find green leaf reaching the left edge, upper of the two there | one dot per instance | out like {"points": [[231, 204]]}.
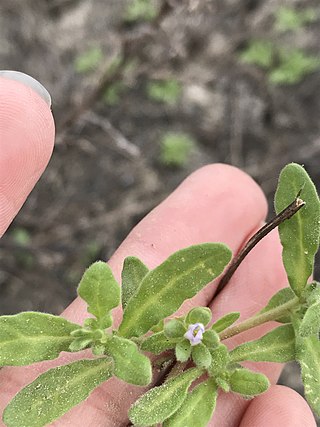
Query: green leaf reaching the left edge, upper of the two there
{"points": [[30, 337]]}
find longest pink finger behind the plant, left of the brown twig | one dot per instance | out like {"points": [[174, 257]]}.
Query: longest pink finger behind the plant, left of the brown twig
{"points": [[217, 203]]}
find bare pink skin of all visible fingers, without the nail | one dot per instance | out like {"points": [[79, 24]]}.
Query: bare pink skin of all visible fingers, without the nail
{"points": [[215, 203]]}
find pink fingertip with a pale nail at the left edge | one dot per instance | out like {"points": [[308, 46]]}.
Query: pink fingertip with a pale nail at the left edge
{"points": [[26, 140]]}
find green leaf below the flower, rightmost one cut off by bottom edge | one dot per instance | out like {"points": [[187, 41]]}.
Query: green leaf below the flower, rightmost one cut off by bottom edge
{"points": [[198, 407]]}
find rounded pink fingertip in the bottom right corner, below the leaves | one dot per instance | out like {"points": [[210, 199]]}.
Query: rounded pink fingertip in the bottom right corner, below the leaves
{"points": [[280, 406]]}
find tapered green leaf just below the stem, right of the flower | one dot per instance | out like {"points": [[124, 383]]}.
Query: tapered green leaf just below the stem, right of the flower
{"points": [[275, 346]]}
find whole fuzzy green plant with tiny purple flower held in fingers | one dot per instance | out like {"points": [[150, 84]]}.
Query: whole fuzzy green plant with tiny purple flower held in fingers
{"points": [[194, 345]]}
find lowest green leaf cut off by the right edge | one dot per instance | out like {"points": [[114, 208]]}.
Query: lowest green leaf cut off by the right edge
{"points": [[308, 356]]}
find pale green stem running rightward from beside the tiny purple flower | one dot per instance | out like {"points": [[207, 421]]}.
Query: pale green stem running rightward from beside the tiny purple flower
{"points": [[259, 319]]}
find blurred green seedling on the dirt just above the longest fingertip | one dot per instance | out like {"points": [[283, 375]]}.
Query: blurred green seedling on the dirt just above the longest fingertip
{"points": [[175, 149]]}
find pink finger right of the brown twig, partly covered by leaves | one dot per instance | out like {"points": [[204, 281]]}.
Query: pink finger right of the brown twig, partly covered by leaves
{"points": [[259, 276]]}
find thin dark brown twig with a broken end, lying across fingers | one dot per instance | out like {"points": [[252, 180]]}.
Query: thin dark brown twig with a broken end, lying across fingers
{"points": [[287, 213]]}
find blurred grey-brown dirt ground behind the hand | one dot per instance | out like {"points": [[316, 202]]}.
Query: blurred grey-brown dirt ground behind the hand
{"points": [[105, 173]]}
